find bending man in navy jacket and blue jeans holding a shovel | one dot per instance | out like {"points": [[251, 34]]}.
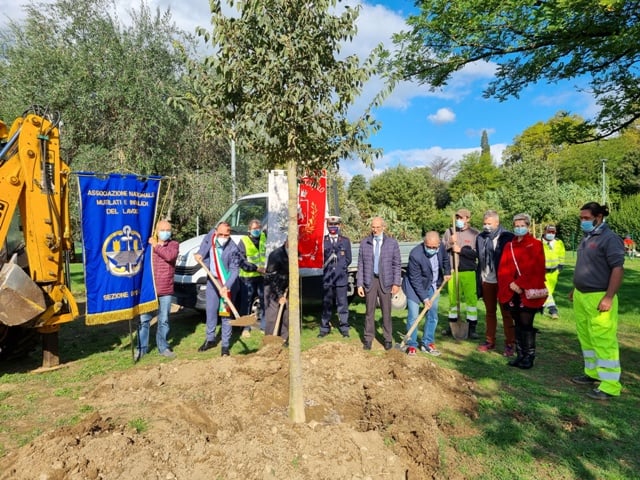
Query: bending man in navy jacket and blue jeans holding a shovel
{"points": [[428, 267]]}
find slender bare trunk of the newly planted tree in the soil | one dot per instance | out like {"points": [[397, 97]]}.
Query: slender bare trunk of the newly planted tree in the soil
{"points": [[296, 394]]}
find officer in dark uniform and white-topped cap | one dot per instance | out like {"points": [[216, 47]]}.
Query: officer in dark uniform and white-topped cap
{"points": [[337, 257]]}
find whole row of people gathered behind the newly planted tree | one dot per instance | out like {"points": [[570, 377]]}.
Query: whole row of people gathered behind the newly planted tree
{"points": [[508, 269]]}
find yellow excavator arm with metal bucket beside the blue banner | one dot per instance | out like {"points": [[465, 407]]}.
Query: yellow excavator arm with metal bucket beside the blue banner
{"points": [[35, 237]]}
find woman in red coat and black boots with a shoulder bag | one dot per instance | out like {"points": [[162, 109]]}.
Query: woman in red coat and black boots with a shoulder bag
{"points": [[522, 268]]}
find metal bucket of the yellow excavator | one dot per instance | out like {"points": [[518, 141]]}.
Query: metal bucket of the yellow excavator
{"points": [[21, 300]]}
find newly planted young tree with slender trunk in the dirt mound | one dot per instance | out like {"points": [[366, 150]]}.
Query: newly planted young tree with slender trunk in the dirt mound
{"points": [[276, 84]]}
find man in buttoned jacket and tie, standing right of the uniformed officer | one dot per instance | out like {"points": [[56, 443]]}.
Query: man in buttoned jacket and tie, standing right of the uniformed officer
{"points": [[379, 277]]}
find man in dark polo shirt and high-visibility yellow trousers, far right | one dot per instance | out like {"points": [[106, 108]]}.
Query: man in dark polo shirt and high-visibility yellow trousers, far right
{"points": [[597, 278]]}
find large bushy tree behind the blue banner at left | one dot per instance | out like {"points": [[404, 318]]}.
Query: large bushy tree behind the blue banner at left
{"points": [[110, 82]]}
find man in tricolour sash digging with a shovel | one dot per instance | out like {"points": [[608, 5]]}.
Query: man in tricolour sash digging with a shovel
{"points": [[221, 255]]}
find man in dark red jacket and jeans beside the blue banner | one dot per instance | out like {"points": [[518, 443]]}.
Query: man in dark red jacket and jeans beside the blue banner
{"points": [[163, 254]]}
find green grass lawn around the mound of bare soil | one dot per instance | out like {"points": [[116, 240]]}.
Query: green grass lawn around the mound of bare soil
{"points": [[533, 423]]}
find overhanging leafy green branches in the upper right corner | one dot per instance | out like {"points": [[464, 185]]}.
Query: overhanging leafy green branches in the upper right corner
{"points": [[532, 41]]}
